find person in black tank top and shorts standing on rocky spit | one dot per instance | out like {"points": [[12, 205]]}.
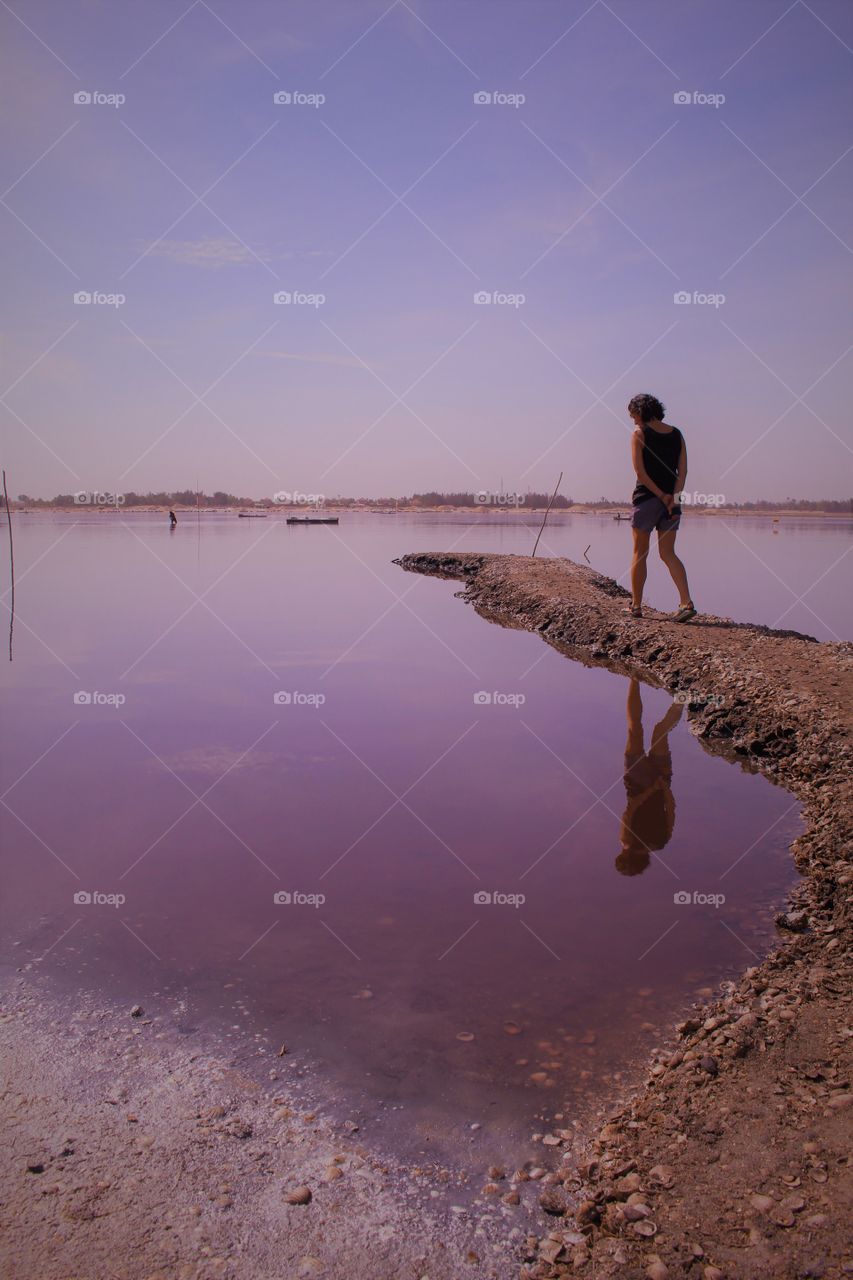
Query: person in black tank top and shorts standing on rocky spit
{"points": [[659, 455]]}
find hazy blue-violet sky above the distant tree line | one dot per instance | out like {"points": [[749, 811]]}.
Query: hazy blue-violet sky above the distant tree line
{"points": [[489, 223]]}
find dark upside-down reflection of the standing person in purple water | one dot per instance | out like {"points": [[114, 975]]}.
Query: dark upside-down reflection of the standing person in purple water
{"points": [[650, 811]]}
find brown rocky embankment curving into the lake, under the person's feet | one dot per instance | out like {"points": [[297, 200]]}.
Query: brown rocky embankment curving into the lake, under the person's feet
{"points": [[733, 1160]]}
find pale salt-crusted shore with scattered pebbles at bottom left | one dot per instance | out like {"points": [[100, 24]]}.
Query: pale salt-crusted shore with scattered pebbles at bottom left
{"points": [[136, 1151]]}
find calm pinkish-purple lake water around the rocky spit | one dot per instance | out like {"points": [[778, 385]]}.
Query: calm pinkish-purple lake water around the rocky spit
{"points": [[384, 797]]}
